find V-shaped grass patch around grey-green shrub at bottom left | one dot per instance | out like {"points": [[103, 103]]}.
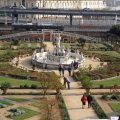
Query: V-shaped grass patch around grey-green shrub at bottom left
{"points": [[28, 114]]}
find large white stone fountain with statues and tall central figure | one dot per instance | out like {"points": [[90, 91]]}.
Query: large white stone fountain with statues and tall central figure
{"points": [[59, 55]]}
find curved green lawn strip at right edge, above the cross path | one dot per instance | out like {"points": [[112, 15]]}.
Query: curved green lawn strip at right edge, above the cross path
{"points": [[111, 82]]}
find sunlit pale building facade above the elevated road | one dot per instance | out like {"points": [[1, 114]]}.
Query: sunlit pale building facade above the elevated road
{"points": [[63, 4]]}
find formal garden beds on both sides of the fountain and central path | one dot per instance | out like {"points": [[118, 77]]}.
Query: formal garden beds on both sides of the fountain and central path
{"points": [[40, 94]]}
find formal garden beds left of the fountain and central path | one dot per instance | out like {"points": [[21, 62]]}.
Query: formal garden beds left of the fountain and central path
{"points": [[13, 78]]}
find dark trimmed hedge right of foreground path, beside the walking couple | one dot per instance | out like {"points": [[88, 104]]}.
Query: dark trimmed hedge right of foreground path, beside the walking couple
{"points": [[99, 111]]}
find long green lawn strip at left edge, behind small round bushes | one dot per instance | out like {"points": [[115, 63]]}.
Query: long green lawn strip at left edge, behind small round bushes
{"points": [[18, 82]]}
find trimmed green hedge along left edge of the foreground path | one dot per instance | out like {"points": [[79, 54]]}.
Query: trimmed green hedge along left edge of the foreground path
{"points": [[63, 109]]}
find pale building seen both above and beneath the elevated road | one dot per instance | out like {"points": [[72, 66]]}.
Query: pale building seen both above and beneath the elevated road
{"points": [[53, 4]]}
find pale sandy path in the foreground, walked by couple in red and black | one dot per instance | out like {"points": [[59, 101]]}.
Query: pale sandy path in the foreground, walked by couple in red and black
{"points": [[73, 103]]}
